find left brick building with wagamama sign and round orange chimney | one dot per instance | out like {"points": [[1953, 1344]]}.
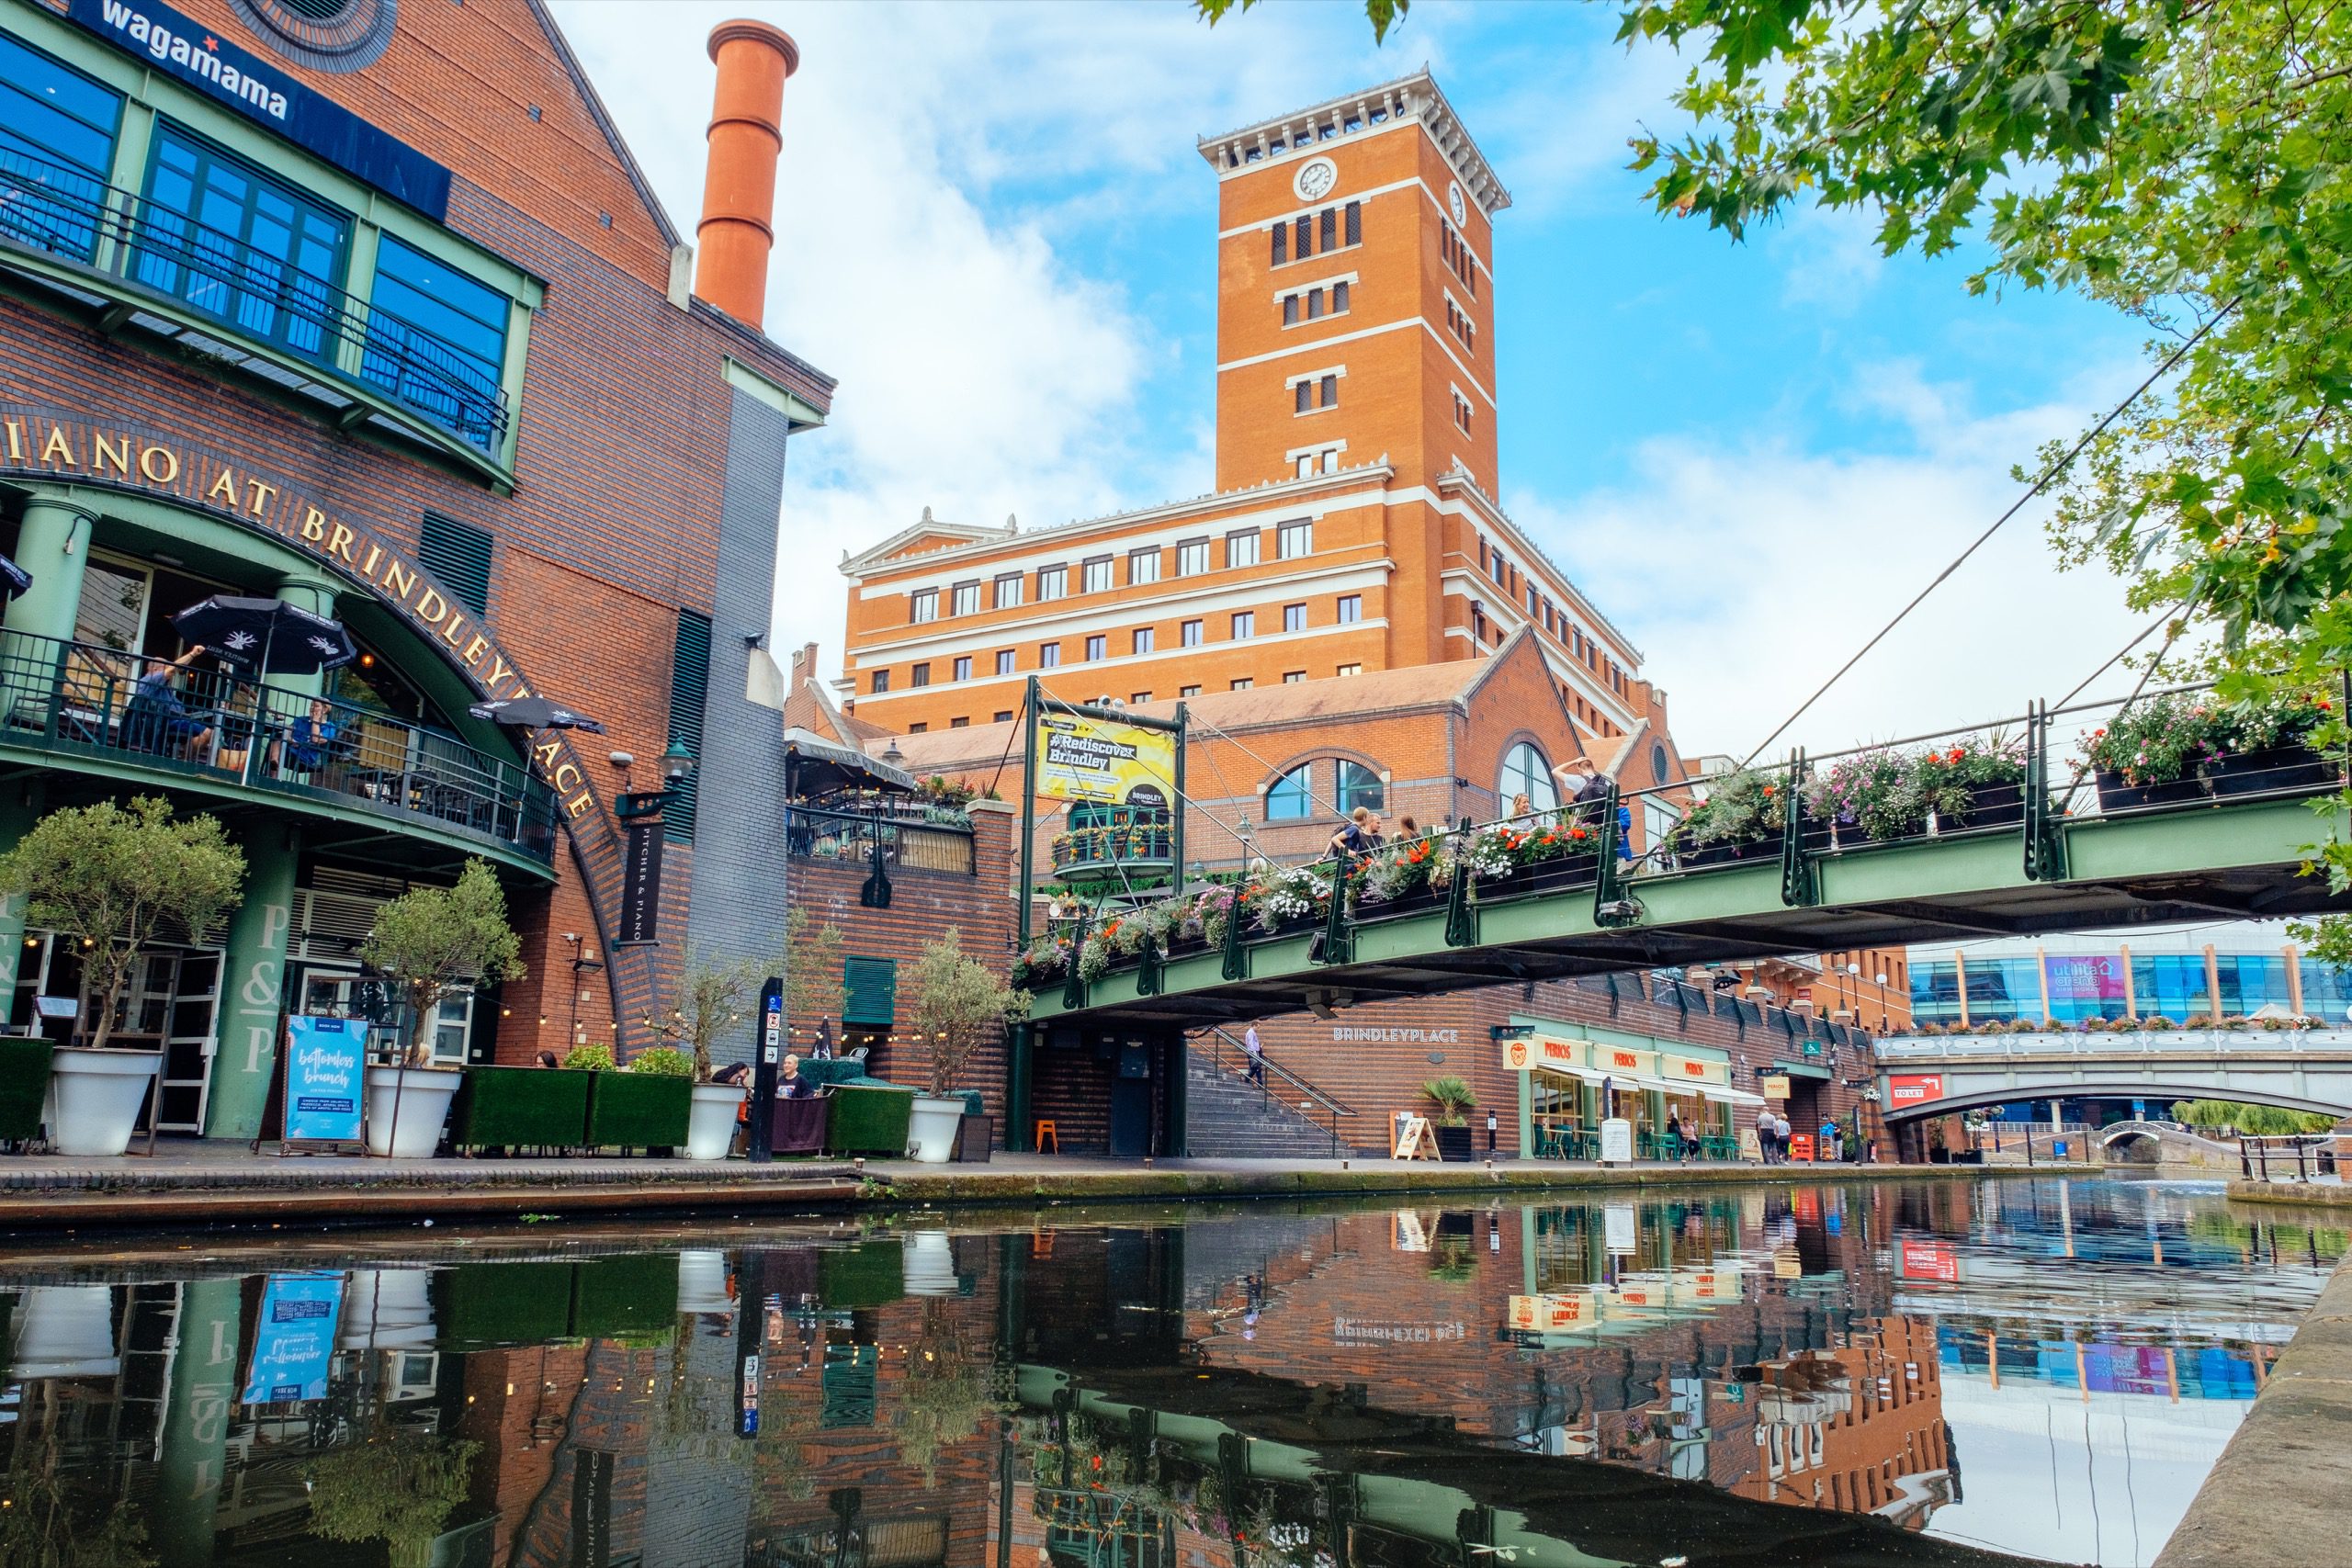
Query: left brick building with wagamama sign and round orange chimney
{"points": [[368, 309]]}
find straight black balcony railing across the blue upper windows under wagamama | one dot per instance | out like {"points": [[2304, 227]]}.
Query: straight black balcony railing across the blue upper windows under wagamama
{"points": [[145, 248]]}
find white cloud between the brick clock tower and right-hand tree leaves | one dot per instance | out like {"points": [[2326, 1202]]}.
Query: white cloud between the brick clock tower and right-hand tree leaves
{"points": [[1751, 572]]}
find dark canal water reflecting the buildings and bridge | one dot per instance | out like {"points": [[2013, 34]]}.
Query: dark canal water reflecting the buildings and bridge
{"points": [[1779, 1374]]}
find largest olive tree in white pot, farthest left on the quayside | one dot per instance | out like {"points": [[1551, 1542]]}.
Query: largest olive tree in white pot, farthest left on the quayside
{"points": [[116, 878]]}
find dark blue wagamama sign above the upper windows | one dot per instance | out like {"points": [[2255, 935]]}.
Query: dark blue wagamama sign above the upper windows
{"points": [[215, 69]]}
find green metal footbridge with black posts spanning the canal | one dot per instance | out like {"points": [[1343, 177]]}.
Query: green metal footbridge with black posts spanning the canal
{"points": [[2066, 862]]}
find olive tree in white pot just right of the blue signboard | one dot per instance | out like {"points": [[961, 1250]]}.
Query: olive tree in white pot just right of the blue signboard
{"points": [[432, 944]]}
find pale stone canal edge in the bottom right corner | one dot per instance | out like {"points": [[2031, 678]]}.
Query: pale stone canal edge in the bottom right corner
{"points": [[2283, 1489]]}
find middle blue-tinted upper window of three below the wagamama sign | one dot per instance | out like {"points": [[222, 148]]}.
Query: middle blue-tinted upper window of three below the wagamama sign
{"points": [[243, 248]]}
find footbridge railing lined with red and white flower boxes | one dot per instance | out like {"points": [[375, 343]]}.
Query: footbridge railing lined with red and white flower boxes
{"points": [[2024, 779]]}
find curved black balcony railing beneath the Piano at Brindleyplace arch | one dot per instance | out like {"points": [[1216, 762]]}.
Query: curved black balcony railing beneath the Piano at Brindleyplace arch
{"points": [[81, 699]]}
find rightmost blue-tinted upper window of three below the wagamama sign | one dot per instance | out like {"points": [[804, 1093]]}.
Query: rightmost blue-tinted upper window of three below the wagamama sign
{"points": [[439, 340]]}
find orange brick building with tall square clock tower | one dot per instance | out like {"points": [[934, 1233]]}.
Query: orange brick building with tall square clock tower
{"points": [[1354, 525]]}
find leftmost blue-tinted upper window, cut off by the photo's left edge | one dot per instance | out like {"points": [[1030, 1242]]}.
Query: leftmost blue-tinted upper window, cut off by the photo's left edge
{"points": [[58, 145]]}
